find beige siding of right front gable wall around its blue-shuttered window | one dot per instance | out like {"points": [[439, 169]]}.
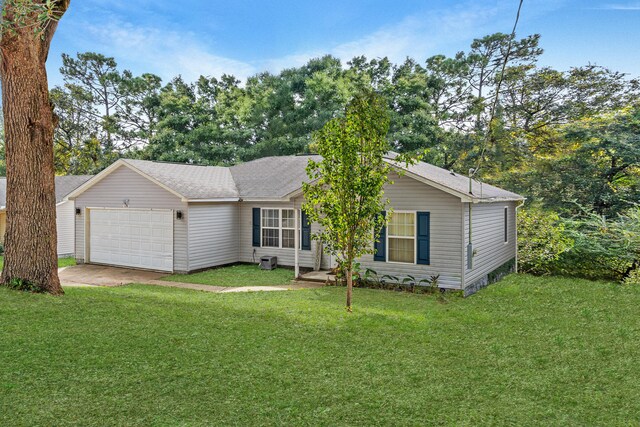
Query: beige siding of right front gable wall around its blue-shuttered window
{"points": [[407, 194]]}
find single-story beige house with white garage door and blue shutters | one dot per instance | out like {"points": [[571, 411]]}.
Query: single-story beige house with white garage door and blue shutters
{"points": [[183, 218]]}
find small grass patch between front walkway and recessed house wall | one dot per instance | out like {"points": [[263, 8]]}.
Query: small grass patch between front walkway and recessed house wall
{"points": [[236, 275]]}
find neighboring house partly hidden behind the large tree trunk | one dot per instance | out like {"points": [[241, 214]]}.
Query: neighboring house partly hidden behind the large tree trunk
{"points": [[65, 218]]}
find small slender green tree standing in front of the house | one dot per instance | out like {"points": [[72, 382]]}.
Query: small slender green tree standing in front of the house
{"points": [[345, 196]]}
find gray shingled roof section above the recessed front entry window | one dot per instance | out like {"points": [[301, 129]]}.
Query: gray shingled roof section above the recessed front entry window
{"points": [[271, 177]]}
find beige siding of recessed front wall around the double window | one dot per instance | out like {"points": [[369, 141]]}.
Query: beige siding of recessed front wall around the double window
{"points": [[285, 256]]}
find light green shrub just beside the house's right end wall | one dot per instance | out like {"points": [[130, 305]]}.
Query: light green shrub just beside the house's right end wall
{"points": [[541, 240]]}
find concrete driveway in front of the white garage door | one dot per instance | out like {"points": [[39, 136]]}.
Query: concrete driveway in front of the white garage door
{"points": [[100, 275]]}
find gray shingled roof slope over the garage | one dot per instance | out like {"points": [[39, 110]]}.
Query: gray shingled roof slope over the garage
{"points": [[190, 181]]}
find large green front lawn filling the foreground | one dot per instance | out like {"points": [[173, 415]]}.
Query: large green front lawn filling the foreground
{"points": [[526, 351]]}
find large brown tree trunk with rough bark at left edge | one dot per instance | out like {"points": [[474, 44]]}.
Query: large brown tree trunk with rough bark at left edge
{"points": [[30, 237]]}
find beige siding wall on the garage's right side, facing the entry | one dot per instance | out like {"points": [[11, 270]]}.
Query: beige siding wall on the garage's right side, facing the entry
{"points": [[213, 234]]}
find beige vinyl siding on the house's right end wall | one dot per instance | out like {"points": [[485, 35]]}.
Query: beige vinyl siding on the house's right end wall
{"points": [[488, 237]]}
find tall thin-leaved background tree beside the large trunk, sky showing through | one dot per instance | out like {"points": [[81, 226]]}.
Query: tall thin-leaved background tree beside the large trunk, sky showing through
{"points": [[104, 113]]}
